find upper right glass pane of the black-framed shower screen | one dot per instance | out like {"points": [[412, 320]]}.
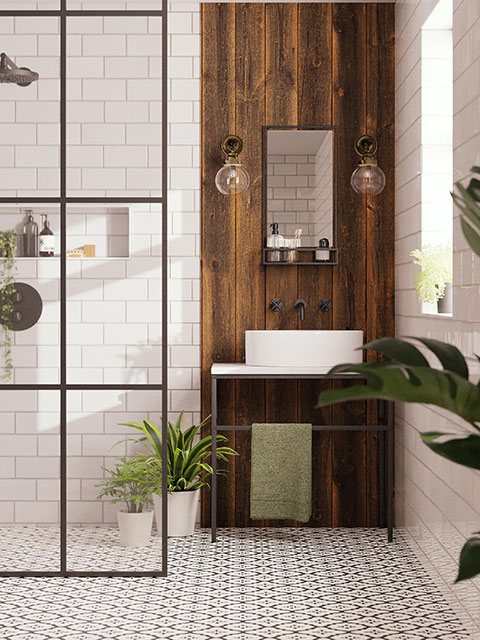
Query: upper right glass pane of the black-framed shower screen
{"points": [[114, 106]]}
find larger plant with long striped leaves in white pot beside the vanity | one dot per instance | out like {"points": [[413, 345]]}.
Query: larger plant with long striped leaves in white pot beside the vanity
{"points": [[188, 469]]}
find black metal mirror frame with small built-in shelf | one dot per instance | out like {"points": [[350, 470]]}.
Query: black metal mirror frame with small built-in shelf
{"points": [[333, 250]]}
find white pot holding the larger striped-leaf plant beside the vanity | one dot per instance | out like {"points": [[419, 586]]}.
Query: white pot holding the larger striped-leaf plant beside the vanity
{"points": [[182, 512]]}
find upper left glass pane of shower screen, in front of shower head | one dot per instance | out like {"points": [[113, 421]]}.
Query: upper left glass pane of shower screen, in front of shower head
{"points": [[30, 113]]}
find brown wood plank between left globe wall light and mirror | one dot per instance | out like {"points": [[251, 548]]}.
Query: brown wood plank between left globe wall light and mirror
{"points": [[250, 274]]}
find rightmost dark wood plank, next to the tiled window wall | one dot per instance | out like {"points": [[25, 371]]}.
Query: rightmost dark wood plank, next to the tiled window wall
{"points": [[380, 277]]}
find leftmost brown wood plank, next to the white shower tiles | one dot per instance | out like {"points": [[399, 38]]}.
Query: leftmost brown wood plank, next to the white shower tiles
{"points": [[218, 239]]}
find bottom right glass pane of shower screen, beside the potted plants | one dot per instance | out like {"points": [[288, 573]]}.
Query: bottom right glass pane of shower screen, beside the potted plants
{"points": [[97, 535]]}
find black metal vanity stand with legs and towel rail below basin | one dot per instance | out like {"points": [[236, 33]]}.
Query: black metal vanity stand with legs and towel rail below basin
{"points": [[385, 426]]}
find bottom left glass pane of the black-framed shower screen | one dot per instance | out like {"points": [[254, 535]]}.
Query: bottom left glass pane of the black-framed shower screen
{"points": [[30, 481]]}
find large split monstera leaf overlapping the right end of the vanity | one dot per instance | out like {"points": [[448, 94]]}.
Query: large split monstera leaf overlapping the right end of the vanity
{"points": [[408, 377]]}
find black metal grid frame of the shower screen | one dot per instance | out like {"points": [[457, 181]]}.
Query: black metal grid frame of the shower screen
{"points": [[63, 200]]}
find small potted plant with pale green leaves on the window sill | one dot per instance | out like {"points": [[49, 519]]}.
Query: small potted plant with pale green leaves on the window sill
{"points": [[434, 282]]}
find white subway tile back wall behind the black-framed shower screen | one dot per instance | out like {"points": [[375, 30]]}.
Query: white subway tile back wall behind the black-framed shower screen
{"points": [[114, 331]]}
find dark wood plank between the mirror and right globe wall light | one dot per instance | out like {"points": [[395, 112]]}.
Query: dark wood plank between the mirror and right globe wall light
{"points": [[349, 106]]}
